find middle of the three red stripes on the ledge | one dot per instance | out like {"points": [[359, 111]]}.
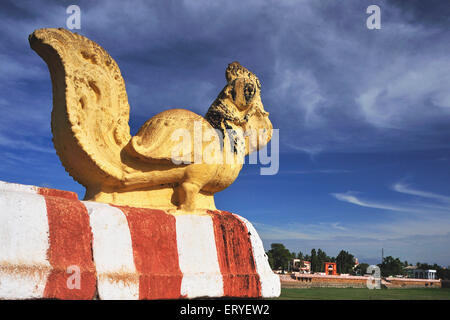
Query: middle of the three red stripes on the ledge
{"points": [[154, 240]]}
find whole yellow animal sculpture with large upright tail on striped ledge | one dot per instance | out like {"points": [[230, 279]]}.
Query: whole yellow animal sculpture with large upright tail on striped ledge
{"points": [[92, 136]]}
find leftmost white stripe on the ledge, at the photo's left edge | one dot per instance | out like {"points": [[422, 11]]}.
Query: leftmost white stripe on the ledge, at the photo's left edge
{"points": [[24, 267]]}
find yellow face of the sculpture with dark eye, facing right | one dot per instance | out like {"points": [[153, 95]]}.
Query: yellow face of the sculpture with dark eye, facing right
{"points": [[244, 91]]}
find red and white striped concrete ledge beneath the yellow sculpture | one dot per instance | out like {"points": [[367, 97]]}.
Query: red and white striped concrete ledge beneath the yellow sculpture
{"points": [[53, 245]]}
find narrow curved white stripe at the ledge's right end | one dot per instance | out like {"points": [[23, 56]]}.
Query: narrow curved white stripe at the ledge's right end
{"points": [[270, 282]]}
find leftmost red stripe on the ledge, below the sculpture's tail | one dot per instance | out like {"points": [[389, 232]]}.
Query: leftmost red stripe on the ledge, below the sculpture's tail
{"points": [[70, 240]]}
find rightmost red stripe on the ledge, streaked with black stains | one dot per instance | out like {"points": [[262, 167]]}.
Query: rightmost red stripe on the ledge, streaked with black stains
{"points": [[235, 254]]}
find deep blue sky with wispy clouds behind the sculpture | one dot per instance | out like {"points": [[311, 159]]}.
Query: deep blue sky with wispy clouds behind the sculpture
{"points": [[364, 115]]}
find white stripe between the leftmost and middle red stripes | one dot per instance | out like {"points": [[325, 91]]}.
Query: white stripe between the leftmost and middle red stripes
{"points": [[113, 253]]}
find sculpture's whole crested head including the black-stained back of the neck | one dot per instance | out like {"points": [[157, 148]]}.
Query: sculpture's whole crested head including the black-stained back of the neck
{"points": [[239, 104]]}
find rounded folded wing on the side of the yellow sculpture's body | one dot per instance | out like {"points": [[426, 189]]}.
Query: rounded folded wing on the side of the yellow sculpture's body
{"points": [[175, 135]]}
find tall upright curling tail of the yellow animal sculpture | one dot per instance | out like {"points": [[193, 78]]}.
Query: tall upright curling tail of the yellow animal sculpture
{"points": [[90, 105]]}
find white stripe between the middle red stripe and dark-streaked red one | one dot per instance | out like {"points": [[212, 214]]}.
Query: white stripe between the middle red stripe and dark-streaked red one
{"points": [[198, 257]]}
